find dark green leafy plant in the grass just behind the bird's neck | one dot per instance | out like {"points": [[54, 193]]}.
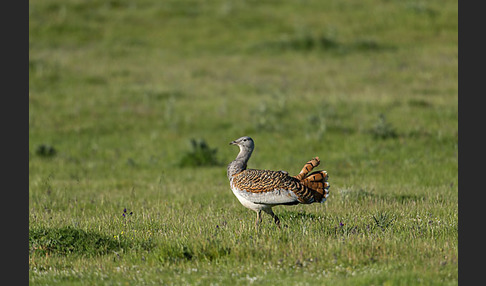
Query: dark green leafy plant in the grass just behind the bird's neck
{"points": [[200, 155]]}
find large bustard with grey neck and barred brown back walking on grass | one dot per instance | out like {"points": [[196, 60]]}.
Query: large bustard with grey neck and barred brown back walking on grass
{"points": [[261, 190]]}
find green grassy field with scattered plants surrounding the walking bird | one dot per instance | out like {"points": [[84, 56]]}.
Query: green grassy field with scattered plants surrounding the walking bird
{"points": [[132, 105]]}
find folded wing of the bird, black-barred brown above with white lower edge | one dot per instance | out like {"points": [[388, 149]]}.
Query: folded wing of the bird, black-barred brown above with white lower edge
{"points": [[270, 187]]}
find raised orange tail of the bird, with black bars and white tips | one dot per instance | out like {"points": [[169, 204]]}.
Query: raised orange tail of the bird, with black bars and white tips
{"points": [[316, 181]]}
